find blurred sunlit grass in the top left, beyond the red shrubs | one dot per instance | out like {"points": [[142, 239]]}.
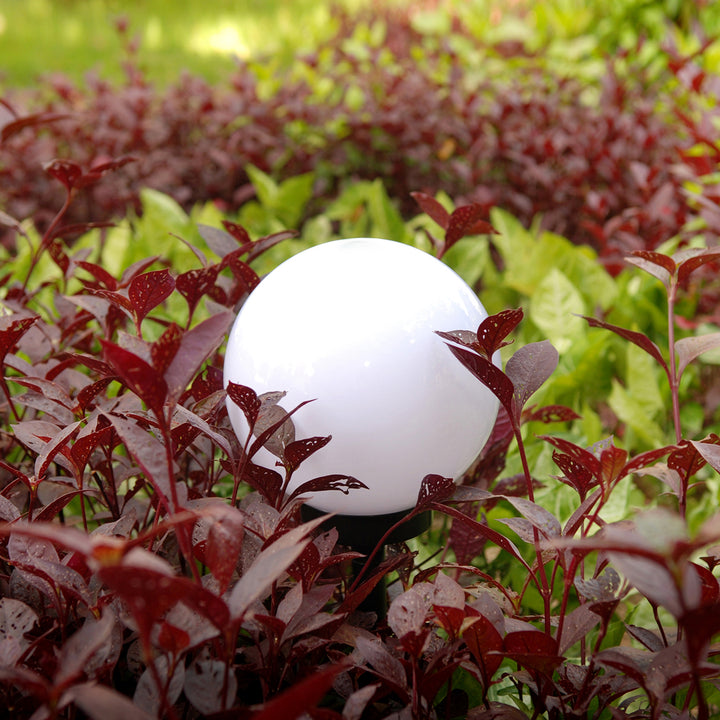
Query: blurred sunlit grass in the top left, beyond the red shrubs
{"points": [[46, 36]]}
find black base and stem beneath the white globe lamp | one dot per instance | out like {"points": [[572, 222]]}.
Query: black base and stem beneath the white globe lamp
{"points": [[362, 533]]}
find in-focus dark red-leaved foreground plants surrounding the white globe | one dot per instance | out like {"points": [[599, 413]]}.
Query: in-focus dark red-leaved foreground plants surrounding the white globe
{"points": [[150, 568]]}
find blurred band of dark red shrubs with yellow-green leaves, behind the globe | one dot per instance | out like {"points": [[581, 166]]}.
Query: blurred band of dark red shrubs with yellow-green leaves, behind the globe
{"points": [[486, 123]]}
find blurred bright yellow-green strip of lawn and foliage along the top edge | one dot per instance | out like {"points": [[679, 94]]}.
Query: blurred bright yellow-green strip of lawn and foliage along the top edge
{"points": [[73, 37]]}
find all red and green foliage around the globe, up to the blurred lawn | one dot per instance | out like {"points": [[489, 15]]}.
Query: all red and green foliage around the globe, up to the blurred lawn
{"points": [[150, 567]]}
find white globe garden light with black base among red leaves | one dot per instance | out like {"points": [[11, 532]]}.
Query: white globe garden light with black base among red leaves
{"points": [[351, 325]]}
